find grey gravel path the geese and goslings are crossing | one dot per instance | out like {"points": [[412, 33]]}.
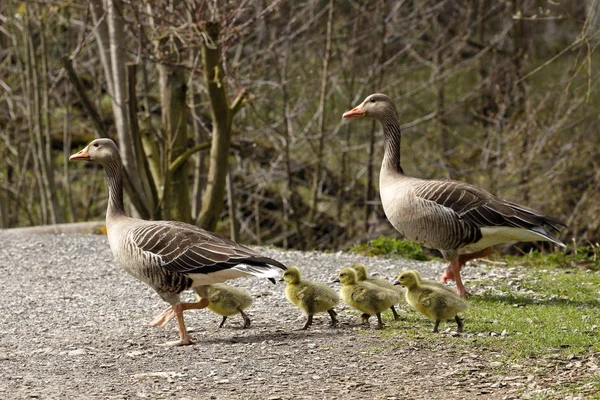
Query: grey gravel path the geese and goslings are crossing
{"points": [[76, 327]]}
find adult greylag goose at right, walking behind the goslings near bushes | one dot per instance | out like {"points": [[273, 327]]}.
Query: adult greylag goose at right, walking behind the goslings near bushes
{"points": [[462, 221]]}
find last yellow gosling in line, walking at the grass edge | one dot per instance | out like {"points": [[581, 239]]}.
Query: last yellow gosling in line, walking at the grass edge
{"points": [[431, 300]]}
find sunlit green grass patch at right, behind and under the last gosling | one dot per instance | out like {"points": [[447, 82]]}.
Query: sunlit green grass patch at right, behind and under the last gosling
{"points": [[555, 313]]}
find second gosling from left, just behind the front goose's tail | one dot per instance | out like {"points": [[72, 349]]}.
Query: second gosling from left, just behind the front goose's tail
{"points": [[310, 297]]}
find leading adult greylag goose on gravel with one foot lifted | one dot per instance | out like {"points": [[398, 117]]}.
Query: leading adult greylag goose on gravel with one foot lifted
{"points": [[170, 256]]}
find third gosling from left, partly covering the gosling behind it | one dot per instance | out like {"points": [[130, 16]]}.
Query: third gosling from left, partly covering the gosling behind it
{"points": [[364, 296]]}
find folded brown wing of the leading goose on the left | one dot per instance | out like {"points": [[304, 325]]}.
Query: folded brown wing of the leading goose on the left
{"points": [[184, 248]]}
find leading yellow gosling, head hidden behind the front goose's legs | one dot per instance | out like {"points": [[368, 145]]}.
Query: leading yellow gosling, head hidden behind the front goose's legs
{"points": [[226, 301]]}
